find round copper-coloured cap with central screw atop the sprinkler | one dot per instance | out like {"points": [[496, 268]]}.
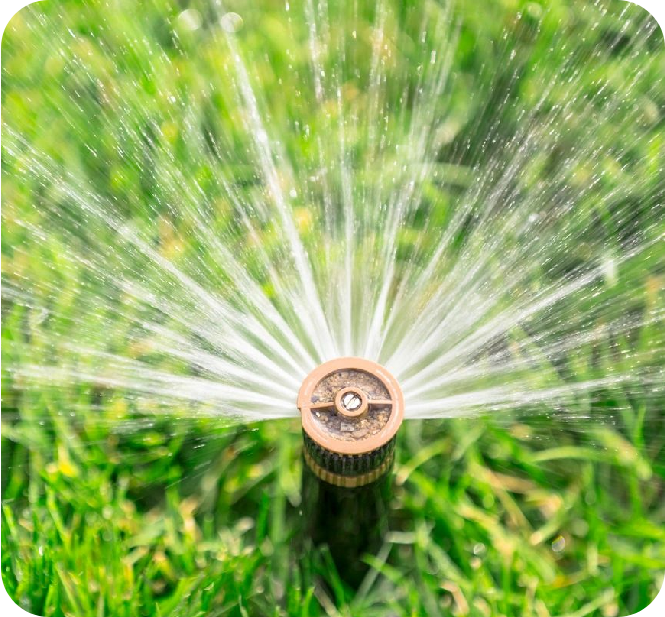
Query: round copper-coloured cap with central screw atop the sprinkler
{"points": [[351, 406]]}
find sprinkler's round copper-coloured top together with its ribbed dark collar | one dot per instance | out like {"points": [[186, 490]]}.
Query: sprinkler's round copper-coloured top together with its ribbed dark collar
{"points": [[351, 410]]}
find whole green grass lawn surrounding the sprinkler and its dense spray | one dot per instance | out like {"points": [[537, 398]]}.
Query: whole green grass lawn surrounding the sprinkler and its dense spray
{"points": [[115, 503]]}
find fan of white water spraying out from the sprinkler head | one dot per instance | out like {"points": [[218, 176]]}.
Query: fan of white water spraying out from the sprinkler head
{"points": [[315, 216]]}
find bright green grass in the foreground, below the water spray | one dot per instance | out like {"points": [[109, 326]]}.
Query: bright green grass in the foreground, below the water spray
{"points": [[189, 519]]}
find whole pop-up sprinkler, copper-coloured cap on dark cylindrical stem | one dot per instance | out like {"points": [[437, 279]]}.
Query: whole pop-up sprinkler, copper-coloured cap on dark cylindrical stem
{"points": [[351, 410]]}
